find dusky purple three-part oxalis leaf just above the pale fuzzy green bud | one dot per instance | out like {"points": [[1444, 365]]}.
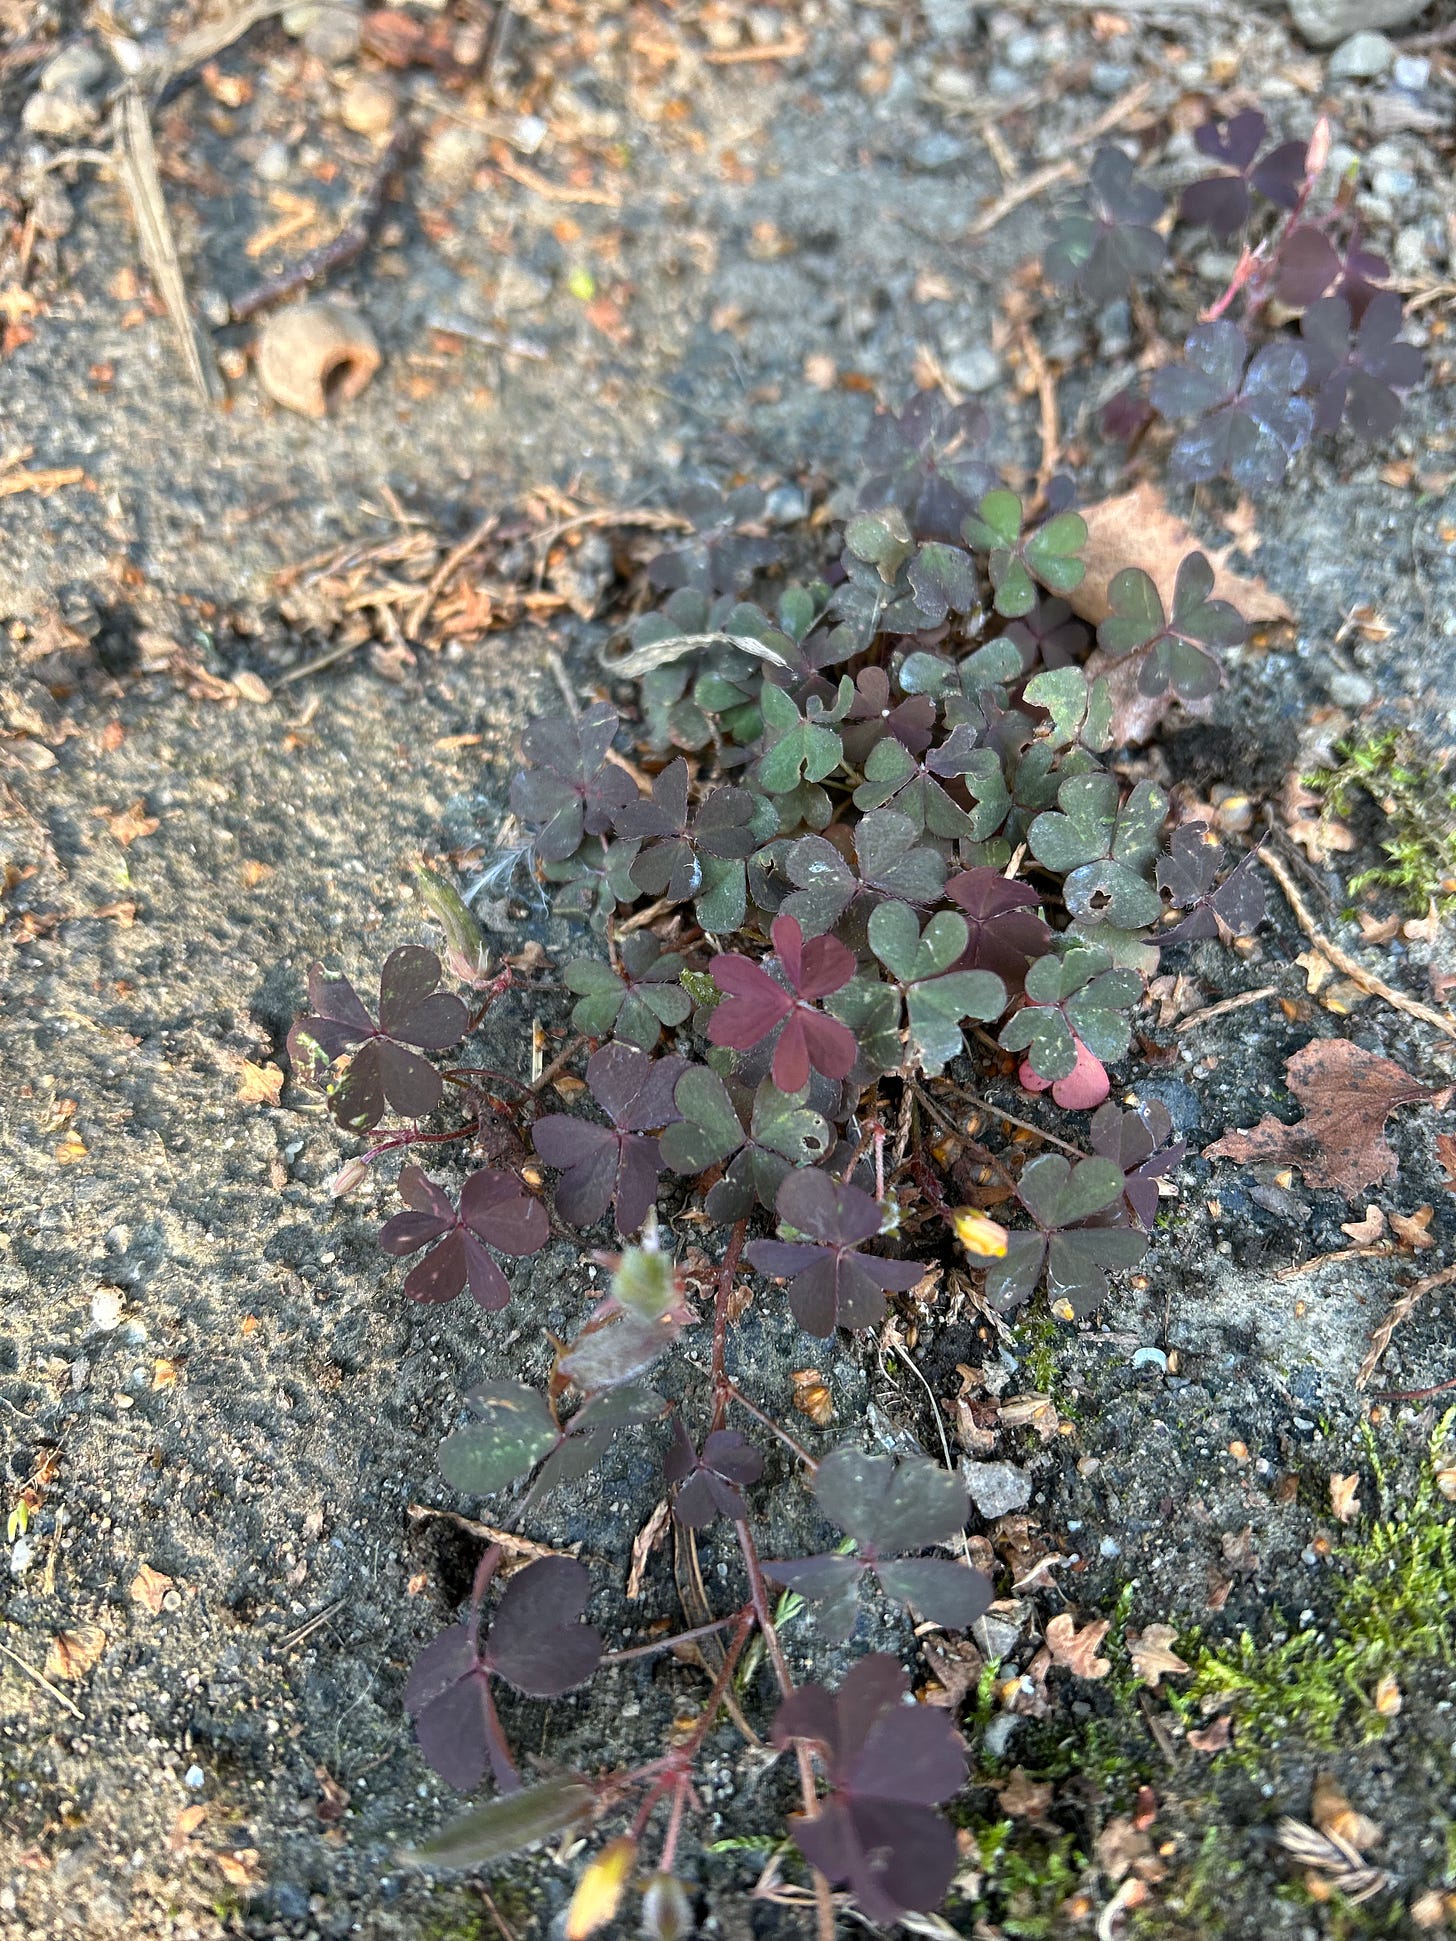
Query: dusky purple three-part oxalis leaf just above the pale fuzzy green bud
{"points": [[612, 1166]]}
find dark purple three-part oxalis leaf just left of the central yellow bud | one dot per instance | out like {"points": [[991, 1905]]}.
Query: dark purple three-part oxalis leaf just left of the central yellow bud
{"points": [[830, 1280]]}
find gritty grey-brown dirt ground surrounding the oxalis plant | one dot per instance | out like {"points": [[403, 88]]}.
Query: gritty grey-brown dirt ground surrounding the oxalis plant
{"points": [[710, 240]]}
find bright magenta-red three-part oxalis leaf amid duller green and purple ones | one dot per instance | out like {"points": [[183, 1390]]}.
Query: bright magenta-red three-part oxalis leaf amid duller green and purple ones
{"points": [[754, 1006]]}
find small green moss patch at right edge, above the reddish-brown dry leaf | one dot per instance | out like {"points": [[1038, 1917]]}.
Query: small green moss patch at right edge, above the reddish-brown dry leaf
{"points": [[1420, 810]]}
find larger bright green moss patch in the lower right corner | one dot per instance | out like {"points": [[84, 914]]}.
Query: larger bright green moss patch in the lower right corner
{"points": [[1395, 1612]]}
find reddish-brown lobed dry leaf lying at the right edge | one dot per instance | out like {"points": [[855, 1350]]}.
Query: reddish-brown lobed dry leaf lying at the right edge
{"points": [[1340, 1142]]}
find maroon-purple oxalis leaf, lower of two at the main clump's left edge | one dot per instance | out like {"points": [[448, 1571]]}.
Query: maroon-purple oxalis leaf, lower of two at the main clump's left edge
{"points": [[496, 1210]]}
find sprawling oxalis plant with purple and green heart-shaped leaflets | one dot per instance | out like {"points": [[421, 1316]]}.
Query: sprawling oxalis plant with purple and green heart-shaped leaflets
{"points": [[853, 847]]}
